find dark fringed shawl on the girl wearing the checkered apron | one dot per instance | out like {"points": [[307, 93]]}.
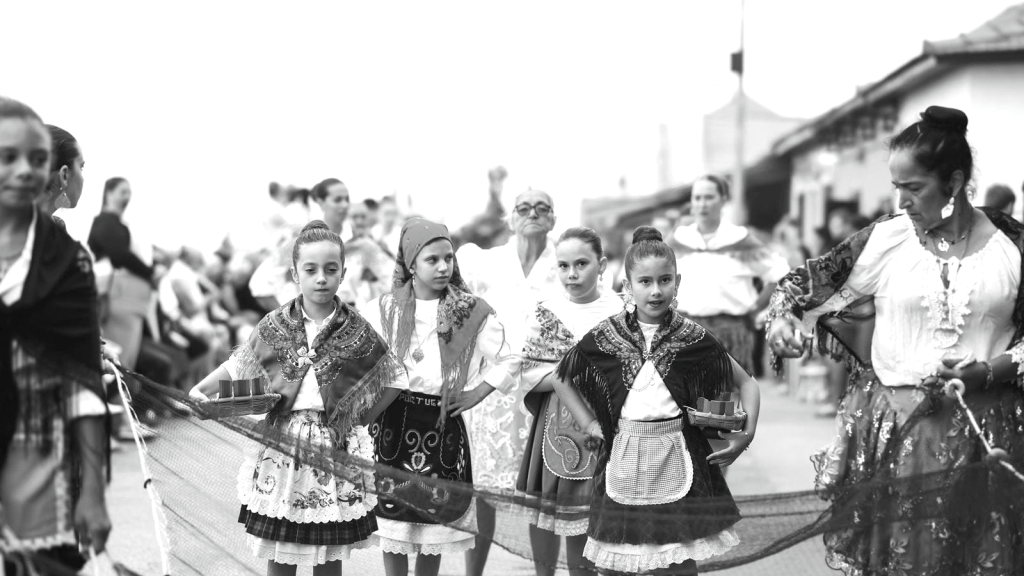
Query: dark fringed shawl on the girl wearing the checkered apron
{"points": [[605, 364]]}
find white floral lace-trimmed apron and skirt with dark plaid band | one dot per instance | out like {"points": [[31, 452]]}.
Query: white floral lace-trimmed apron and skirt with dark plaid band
{"points": [[295, 514]]}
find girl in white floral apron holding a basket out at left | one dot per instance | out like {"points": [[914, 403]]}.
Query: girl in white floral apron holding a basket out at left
{"points": [[335, 376]]}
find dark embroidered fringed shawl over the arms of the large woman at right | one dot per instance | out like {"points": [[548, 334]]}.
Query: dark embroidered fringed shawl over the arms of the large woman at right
{"points": [[813, 285]]}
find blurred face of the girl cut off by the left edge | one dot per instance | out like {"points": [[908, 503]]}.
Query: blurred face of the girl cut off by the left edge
{"points": [[25, 162]]}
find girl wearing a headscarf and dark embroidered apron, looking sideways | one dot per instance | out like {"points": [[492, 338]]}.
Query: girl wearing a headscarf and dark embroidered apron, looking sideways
{"points": [[450, 342]]}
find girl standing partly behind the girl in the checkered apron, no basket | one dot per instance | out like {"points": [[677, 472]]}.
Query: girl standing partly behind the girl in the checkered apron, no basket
{"points": [[559, 470]]}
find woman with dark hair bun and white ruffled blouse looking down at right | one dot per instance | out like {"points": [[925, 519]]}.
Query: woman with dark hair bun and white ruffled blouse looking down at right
{"points": [[949, 308]]}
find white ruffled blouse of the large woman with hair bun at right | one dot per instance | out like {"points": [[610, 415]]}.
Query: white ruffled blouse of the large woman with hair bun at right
{"points": [[914, 327]]}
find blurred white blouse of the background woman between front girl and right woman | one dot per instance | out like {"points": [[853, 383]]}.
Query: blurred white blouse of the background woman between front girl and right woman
{"points": [[727, 283]]}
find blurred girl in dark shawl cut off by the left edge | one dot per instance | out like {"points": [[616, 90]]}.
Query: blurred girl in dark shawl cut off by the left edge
{"points": [[53, 434]]}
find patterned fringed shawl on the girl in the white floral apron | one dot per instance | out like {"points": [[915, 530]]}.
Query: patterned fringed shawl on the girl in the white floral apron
{"points": [[352, 362]]}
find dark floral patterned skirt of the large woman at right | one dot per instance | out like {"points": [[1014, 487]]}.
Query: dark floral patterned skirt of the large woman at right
{"points": [[910, 492]]}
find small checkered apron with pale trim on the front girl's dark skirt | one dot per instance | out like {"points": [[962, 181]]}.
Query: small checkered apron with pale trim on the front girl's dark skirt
{"points": [[650, 464]]}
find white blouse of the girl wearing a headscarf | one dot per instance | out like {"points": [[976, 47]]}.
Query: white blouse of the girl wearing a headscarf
{"points": [[493, 360]]}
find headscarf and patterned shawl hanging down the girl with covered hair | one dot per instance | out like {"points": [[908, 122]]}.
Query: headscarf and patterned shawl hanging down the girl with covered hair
{"points": [[460, 315]]}
